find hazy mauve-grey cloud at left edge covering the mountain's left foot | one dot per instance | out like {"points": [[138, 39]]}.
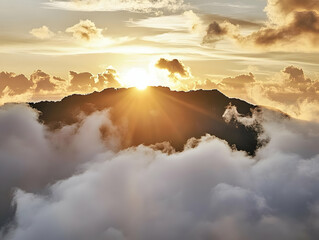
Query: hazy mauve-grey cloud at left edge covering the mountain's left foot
{"points": [[31, 157]]}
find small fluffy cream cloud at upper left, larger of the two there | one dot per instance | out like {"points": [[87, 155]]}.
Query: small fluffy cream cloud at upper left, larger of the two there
{"points": [[85, 30]]}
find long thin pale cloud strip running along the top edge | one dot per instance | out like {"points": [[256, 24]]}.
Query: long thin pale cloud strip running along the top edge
{"points": [[144, 6]]}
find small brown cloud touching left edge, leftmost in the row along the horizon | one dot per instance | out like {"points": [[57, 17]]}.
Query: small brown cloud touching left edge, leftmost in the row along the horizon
{"points": [[14, 84]]}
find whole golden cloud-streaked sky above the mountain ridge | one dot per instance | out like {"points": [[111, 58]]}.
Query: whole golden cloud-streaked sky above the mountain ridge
{"points": [[263, 51]]}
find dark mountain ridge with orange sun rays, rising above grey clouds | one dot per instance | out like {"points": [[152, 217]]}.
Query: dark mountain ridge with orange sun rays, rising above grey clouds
{"points": [[157, 115]]}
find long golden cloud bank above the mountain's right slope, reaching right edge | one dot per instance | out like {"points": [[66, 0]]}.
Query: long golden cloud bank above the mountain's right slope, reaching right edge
{"points": [[291, 91]]}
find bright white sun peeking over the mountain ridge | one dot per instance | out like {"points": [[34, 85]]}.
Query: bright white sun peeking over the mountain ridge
{"points": [[137, 77]]}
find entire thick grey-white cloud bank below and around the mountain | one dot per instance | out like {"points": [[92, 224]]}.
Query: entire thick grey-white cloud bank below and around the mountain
{"points": [[206, 192]]}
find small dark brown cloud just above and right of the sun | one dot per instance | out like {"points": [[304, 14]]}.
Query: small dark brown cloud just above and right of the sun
{"points": [[173, 66]]}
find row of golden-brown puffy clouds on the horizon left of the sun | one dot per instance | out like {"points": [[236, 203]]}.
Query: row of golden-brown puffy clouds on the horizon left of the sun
{"points": [[43, 86]]}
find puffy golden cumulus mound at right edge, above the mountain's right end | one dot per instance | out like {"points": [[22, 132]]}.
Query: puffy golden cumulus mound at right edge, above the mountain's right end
{"points": [[291, 91]]}
